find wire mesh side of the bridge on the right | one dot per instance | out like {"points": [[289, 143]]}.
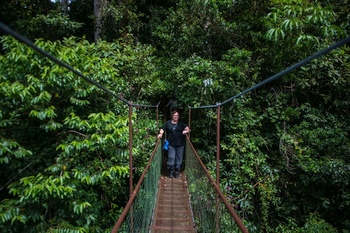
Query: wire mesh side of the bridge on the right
{"points": [[212, 212]]}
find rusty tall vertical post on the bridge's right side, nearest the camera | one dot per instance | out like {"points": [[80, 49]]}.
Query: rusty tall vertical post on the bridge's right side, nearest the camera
{"points": [[217, 217]]}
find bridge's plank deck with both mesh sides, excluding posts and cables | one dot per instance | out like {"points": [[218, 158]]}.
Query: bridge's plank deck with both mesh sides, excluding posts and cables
{"points": [[191, 203]]}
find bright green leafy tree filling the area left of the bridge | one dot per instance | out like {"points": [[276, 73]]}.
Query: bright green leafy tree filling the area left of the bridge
{"points": [[67, 142]]}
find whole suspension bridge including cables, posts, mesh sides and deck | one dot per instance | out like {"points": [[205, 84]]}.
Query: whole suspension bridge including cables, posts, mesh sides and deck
{"points": [[191, 203]]}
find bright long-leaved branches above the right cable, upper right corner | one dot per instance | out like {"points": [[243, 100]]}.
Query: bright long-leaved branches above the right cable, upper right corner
{"points": [[297, 29]]}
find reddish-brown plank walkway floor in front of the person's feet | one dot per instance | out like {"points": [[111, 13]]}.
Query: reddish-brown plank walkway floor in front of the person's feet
{"points": [[173, 212]]}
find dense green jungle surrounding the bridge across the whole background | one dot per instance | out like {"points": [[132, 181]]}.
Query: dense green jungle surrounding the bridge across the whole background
{"points": [[64, 162]]}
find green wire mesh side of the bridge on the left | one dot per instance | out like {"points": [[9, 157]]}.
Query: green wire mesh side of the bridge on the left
{"points": [[138, 212]]}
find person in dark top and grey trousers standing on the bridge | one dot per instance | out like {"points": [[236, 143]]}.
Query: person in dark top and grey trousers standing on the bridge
{"points": [[175, 131]]}
